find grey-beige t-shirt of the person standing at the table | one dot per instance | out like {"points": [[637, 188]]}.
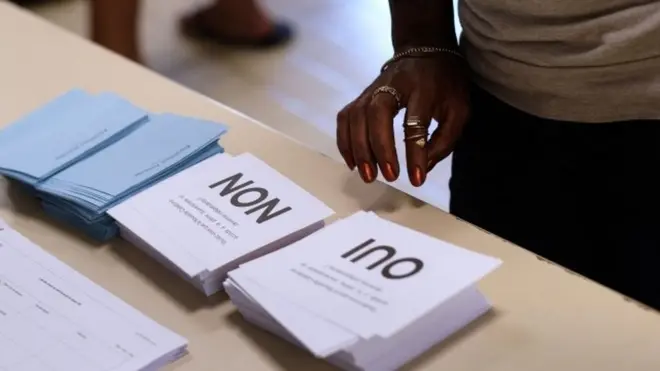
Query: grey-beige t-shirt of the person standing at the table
{"points": [[571, 60]]}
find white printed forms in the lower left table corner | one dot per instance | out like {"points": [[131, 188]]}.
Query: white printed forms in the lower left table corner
{"points": [[53, 318]]}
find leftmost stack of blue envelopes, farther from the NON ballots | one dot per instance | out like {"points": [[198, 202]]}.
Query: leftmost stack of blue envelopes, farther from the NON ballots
{"points": [[66, 130]]}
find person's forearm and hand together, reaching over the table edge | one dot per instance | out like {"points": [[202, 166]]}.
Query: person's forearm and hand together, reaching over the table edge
{"points": [[432, 86]]}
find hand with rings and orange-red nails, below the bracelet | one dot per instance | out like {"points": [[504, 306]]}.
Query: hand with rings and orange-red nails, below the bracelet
{"points": [[429, 87]]}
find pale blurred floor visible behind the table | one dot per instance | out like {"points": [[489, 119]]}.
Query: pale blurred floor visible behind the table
{"points": [[296, 90]]}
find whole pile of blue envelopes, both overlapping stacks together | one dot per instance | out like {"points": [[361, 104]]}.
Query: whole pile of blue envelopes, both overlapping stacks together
{"points": [[85, 153]]}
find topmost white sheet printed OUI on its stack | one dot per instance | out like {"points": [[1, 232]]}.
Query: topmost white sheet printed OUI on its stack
{"points": [[369, 275]]}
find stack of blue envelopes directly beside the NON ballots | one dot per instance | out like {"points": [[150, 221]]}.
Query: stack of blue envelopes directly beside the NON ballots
{"points": [[163, 145]]}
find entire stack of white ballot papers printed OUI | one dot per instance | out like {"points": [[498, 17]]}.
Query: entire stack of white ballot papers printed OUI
{"points": [[363, 293]]}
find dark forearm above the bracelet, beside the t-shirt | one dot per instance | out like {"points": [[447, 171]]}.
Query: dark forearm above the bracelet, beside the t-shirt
{"points": [[422, 23]]}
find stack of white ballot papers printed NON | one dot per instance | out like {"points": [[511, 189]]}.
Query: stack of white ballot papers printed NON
{"points": [[206, 220]]}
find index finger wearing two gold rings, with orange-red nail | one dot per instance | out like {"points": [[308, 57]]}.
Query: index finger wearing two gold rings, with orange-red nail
{"points": [[415, 131]]}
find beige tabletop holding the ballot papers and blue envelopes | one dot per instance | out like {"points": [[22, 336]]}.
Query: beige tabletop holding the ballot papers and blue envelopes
{"points": [[545, 319]]}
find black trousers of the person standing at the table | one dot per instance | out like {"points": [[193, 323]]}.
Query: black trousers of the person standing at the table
{"points": [[582, 195]]}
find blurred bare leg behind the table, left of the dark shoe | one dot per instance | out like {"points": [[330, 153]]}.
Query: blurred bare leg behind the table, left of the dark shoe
{"points": [[115, 26]]}
